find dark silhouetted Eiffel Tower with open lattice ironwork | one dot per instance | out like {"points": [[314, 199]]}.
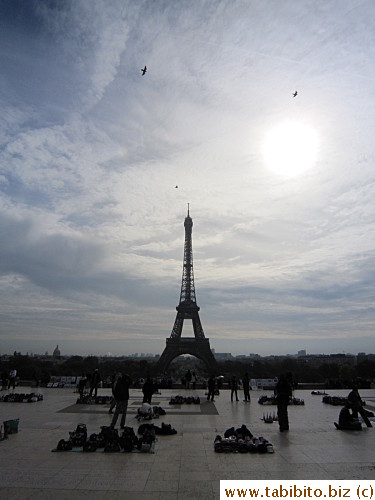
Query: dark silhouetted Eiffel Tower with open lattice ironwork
{"points": [[198, 345]]}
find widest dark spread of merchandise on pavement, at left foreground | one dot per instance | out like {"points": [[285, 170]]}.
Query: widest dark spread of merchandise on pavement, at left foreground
{"points": [[109, 440]]}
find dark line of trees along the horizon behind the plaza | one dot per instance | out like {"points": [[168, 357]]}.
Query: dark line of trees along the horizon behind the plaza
{"points": [[333, 374]]}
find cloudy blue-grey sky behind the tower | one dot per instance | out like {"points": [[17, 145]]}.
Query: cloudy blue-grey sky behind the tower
{"points": [[91, 221]]}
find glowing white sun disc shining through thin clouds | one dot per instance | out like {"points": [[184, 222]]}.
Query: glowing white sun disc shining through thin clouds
{"points": [[290, 148]]}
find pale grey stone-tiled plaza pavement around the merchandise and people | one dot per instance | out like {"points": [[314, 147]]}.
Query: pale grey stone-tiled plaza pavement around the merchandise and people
{"points": [[183, 465]]}
